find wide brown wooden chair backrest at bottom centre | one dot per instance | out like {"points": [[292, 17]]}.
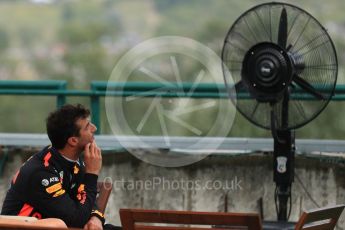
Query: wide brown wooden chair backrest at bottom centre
{"points": [[140, 219]]}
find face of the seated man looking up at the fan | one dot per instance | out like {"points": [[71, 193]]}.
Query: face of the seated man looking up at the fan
{"points": [[86, 132]]}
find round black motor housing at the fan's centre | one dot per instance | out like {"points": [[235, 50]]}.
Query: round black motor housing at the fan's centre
{"points": [[267, 71]]}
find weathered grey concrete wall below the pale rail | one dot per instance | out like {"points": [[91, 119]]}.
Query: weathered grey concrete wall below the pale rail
{"points": [[216, 183]]}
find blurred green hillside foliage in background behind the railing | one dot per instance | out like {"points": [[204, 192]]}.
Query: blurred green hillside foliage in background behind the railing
{"points": [[81, 41]]}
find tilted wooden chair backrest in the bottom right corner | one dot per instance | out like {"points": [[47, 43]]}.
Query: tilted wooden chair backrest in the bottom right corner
{"points": [[320, 219]]}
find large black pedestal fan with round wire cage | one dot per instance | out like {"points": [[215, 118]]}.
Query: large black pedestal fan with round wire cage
{"points": [[284, 66]]}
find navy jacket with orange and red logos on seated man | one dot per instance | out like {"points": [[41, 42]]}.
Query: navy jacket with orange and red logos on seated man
{"points": [[48, 185]]}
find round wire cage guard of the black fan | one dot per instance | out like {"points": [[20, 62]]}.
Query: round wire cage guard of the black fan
{"points": [[309, 44]]}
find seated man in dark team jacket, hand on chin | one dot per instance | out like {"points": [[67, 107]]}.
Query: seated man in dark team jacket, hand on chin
{"points": [[55, 182]]}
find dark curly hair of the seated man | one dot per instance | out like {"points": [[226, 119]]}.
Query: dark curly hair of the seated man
{"points": [[61, 124]]}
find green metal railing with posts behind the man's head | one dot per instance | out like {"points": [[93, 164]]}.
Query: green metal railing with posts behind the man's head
{"points": [[100, 89]]}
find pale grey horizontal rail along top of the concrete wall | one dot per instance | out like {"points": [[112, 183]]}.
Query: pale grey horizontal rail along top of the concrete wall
{"points": [[177, 143]]}
